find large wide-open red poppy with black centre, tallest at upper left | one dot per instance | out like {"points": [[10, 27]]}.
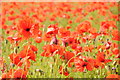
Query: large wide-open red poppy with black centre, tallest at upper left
{"points": [[28, 28]]}
